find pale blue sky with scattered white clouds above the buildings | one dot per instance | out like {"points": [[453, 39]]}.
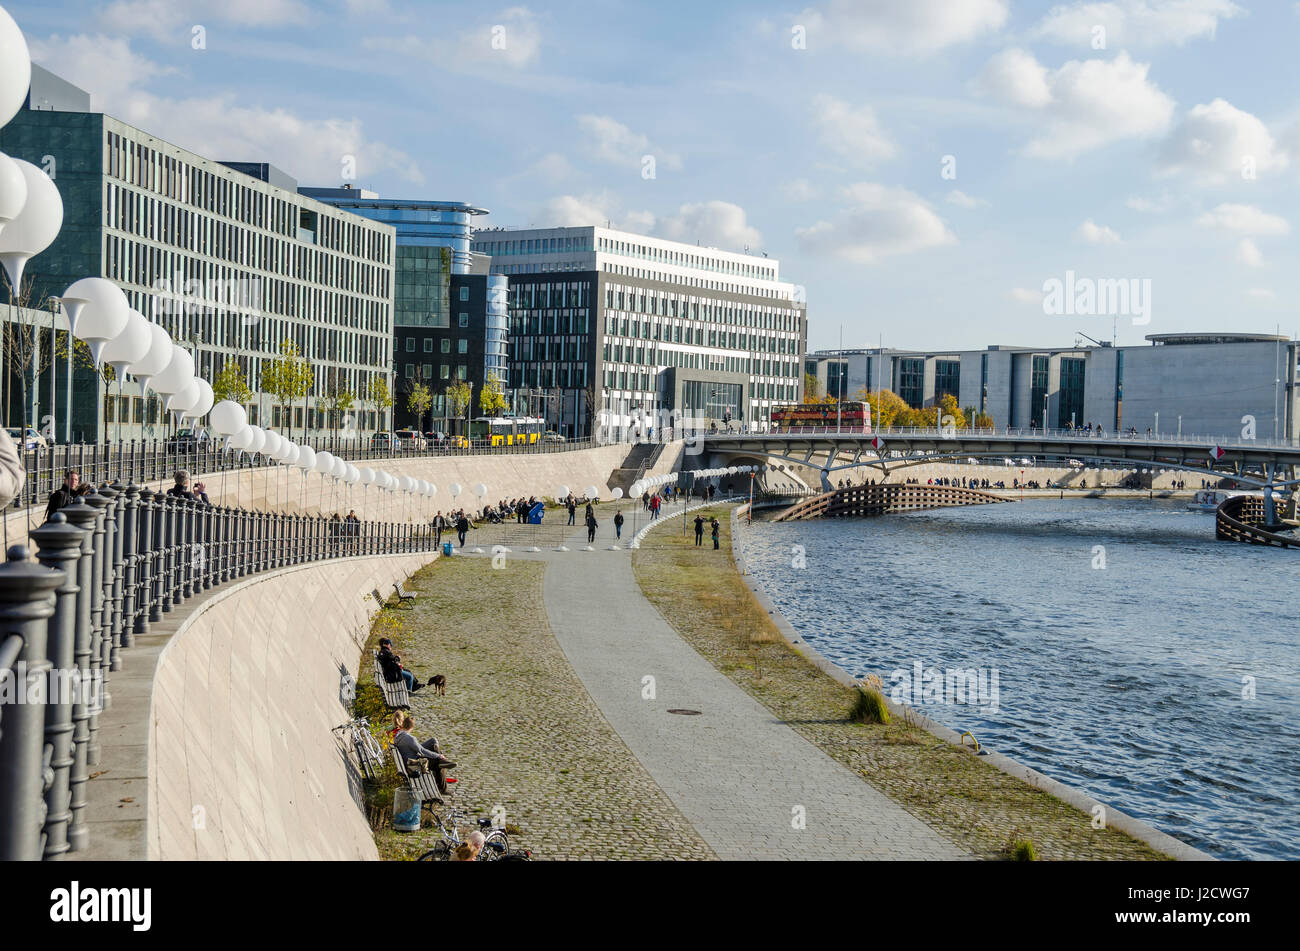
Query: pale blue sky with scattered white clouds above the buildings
{"points": [[925, 170]]}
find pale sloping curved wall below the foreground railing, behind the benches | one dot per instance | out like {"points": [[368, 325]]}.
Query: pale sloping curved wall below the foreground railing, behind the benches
{"points": [[241, 759]]}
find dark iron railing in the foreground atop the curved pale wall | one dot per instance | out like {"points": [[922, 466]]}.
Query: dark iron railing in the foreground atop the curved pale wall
{"points": [[109, 567]]}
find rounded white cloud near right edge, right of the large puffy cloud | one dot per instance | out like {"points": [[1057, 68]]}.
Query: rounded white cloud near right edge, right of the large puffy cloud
{"points": [[1216, 142]]}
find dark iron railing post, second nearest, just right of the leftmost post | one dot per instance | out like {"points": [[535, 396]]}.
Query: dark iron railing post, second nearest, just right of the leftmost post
{"points": [[59, 546]]}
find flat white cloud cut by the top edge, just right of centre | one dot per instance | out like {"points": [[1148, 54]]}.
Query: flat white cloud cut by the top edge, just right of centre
{"points": [[911, 28]]}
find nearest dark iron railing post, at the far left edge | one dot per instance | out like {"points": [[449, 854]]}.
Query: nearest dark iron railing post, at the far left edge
{"points": [[27, 606]]}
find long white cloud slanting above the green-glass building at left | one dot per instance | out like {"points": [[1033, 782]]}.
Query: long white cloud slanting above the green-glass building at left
{"points": [[310, 149]]}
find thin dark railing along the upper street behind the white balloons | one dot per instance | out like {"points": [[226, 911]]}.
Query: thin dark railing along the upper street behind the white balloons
{"points": [[157, 461]]}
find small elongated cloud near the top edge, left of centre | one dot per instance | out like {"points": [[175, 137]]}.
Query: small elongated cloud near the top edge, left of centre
{"points": [[478, 51]]}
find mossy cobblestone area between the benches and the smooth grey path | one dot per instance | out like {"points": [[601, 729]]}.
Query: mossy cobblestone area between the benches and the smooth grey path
{"points": [[526, 735]]}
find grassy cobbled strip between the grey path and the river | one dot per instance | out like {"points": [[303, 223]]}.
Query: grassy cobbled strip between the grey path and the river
{"points": [[705, 600]]}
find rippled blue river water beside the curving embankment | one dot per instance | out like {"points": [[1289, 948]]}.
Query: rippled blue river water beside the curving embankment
{"points": [[1165, 684]]}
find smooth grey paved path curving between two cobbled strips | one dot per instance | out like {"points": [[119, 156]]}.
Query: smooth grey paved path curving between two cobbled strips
{"points": [[751, 785]]}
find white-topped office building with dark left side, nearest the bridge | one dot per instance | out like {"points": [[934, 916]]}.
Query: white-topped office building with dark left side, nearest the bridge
{"points": [[608, 327]]}
